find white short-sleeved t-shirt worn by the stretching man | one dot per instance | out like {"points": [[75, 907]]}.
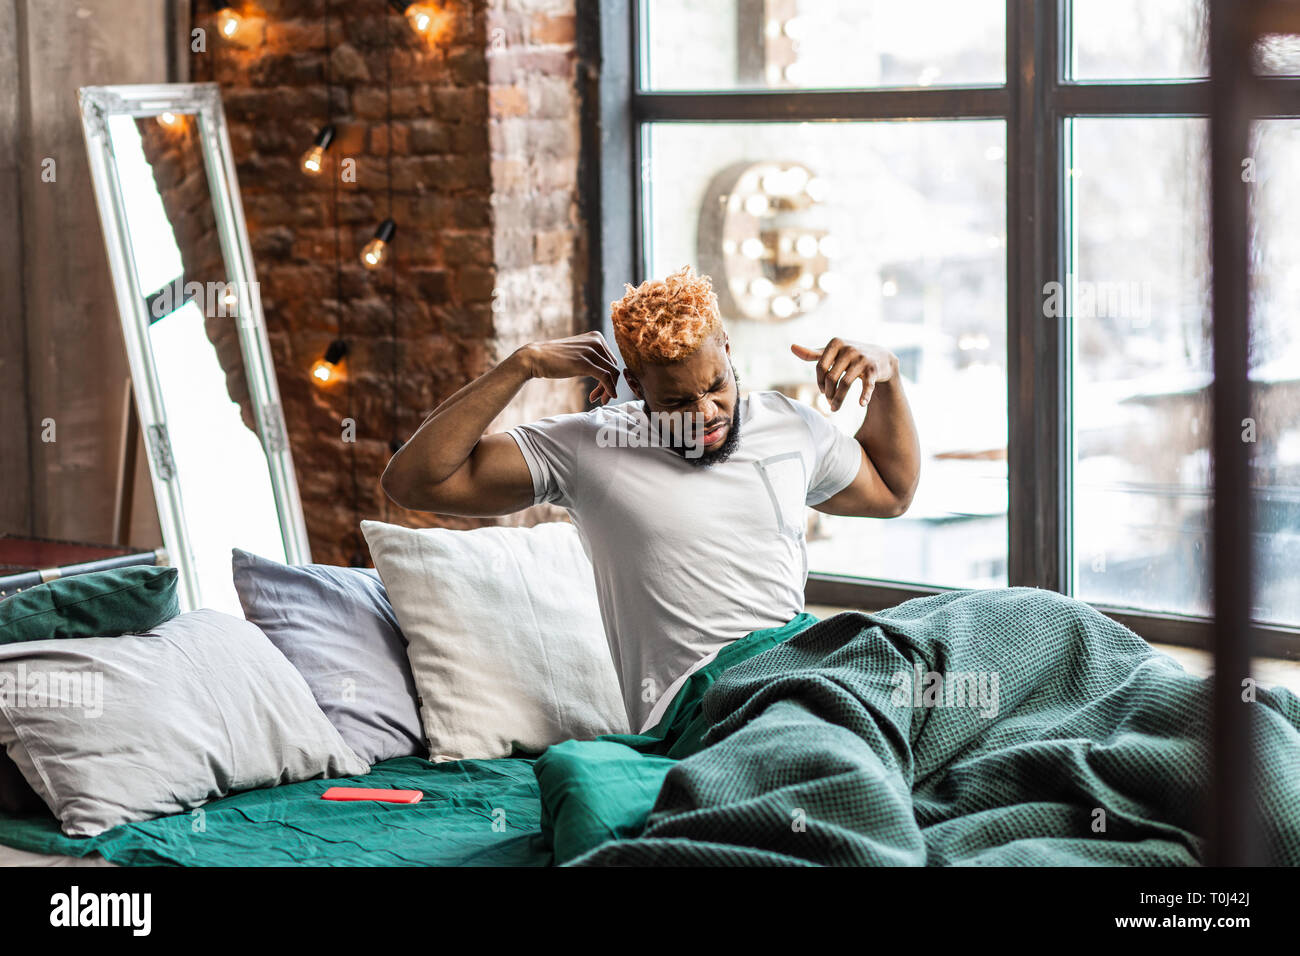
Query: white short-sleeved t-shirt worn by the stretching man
{"points": [[688, 559]]}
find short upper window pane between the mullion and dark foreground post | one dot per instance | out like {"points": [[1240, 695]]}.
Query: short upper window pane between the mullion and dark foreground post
{"points": [[1139, 40]]}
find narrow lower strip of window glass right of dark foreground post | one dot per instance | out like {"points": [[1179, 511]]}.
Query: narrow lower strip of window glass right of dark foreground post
{"points": [[1275, 429]]}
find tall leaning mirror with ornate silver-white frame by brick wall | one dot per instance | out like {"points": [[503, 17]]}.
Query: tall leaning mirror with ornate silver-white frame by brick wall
{"points": [[196, 335]]}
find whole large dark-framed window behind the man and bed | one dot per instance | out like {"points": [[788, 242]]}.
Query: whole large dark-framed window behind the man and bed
{"points": [[1013, 197]]}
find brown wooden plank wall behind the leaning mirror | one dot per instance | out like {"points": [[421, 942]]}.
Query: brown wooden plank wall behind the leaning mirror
{"points": [[62, 353]]}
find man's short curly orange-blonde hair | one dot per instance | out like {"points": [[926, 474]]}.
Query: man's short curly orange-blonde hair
{"points": [[666, 321]]}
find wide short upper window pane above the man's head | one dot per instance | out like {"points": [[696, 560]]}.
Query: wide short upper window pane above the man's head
{"points": [[739, 45]]}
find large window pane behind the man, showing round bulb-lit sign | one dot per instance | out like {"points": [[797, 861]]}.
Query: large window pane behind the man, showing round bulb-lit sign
{"points": [[885, 232]]}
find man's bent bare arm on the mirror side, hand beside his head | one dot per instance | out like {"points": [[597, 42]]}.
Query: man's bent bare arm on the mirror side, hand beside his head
{"points": [[452, 468]]}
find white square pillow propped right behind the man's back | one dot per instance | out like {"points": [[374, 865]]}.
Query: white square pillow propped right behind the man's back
{"points": [[504, 634]]}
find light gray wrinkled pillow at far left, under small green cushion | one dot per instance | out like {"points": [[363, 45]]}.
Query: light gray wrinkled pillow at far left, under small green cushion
{"points": [[123, 730]]}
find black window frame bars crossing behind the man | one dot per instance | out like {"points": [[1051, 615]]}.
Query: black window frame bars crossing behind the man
{"points": [[1035, 106]]}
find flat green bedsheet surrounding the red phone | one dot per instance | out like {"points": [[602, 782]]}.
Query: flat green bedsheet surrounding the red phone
{"points": [[475, 814]]}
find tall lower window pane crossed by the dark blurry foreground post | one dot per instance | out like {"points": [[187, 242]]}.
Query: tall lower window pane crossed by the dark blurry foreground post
{"points": [[1143, 365]]}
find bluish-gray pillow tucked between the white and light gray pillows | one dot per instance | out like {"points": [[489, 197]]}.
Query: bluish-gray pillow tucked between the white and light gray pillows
{"points": [[337, 628]]}
